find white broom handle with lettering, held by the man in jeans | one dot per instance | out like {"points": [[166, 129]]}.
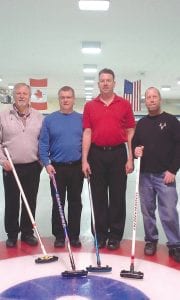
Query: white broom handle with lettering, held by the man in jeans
{"points": [[135, 207]]}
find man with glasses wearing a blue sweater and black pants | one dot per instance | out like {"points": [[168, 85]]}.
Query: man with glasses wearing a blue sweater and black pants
{"points": [[60, 146]]}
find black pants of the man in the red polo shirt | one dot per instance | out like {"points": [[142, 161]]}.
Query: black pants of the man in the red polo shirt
{"points": [[108, 184]]}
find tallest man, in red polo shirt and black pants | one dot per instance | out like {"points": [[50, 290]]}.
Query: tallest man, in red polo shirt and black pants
{"points": [[108, 123]]}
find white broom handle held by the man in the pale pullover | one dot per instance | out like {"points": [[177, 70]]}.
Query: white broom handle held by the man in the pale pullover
{"points": [[25, 200]]}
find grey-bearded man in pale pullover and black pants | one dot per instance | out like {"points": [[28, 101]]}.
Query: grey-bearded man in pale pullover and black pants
{"points": [[19, 133]]}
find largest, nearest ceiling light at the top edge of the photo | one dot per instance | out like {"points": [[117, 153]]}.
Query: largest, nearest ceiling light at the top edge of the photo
{"points": [[94, 5]]}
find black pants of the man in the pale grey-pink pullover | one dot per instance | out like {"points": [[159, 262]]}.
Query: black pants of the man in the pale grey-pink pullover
{"points": [[29, 176]]}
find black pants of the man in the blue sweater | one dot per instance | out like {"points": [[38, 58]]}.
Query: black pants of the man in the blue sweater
{"points": [[69, 183]]}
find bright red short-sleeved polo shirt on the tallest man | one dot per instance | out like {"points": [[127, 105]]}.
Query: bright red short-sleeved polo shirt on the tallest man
{"points": [[108, 123]]}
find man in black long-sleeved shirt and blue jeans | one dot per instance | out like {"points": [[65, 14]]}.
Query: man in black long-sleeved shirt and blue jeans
{"points": [[157, 140]]}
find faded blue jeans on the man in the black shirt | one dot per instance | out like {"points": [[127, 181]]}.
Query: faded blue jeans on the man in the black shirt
{"points": [[154, 193]]}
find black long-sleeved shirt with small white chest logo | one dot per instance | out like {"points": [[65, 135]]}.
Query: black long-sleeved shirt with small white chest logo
{"points": [[160, 136]]}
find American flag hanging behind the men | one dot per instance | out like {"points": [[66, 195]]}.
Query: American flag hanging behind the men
{"points": [[132, 92]]}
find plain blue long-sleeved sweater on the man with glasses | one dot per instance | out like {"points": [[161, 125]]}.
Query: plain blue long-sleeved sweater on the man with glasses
{"points": [[61, 138]]}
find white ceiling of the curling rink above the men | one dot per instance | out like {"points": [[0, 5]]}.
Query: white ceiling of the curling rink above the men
{"points": [[42, 38]]}
